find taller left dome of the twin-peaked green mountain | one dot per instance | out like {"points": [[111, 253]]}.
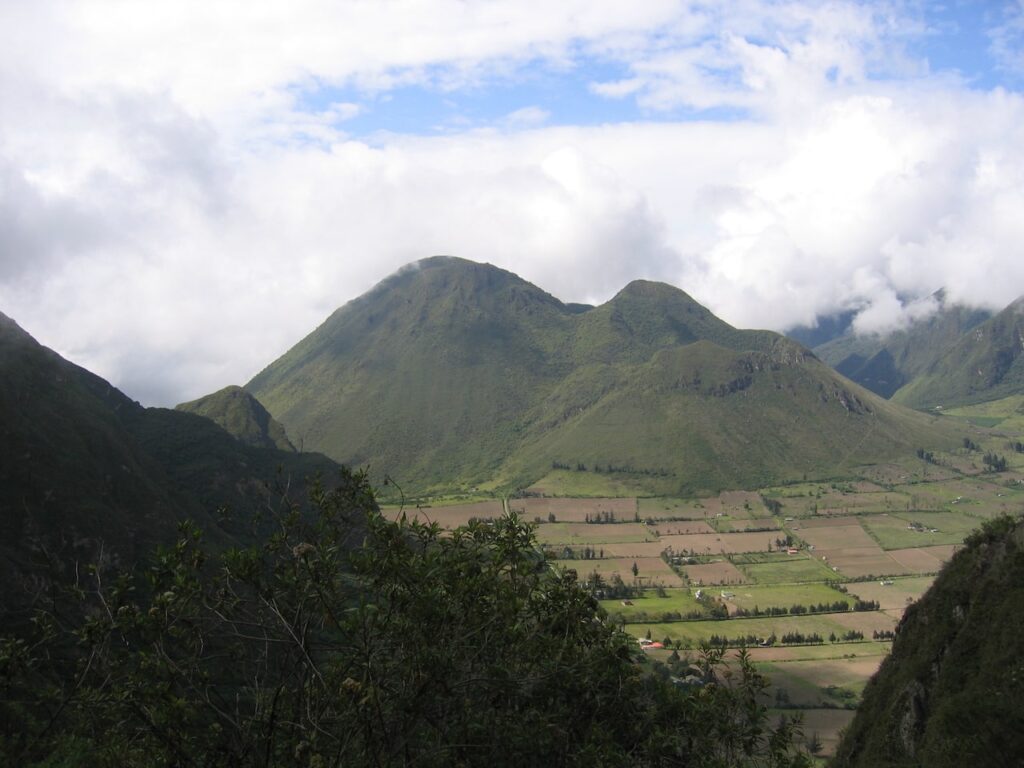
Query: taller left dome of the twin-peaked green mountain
{"points": [[425, 376]]}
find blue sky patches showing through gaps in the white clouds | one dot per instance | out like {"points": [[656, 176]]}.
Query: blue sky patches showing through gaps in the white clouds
{"points": [[959, 39]]}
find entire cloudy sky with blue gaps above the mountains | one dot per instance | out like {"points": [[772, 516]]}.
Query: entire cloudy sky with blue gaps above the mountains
{"points": [[187, 189]]}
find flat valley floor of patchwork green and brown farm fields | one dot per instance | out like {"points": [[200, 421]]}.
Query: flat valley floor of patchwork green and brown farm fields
{"points": [[813, 579]]}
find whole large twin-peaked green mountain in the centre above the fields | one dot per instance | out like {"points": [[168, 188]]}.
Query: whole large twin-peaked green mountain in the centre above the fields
{"points": [[453, 373]]}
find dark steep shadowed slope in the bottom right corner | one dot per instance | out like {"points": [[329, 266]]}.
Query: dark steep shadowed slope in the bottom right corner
{"points": [[952, 693]]}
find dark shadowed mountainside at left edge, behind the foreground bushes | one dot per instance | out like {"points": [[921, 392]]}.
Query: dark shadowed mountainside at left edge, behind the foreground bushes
{"points": [[87, 474]]}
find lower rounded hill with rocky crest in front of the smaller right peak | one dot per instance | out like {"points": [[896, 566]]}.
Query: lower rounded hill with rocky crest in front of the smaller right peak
{"points": [[705, 418]]}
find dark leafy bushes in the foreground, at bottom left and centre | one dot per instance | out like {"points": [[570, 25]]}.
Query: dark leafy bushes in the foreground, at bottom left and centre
{"points": [[416, 648]]}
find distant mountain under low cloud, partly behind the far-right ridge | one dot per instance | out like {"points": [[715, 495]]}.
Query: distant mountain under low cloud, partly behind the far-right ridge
{"points": [[884, 364]]}
